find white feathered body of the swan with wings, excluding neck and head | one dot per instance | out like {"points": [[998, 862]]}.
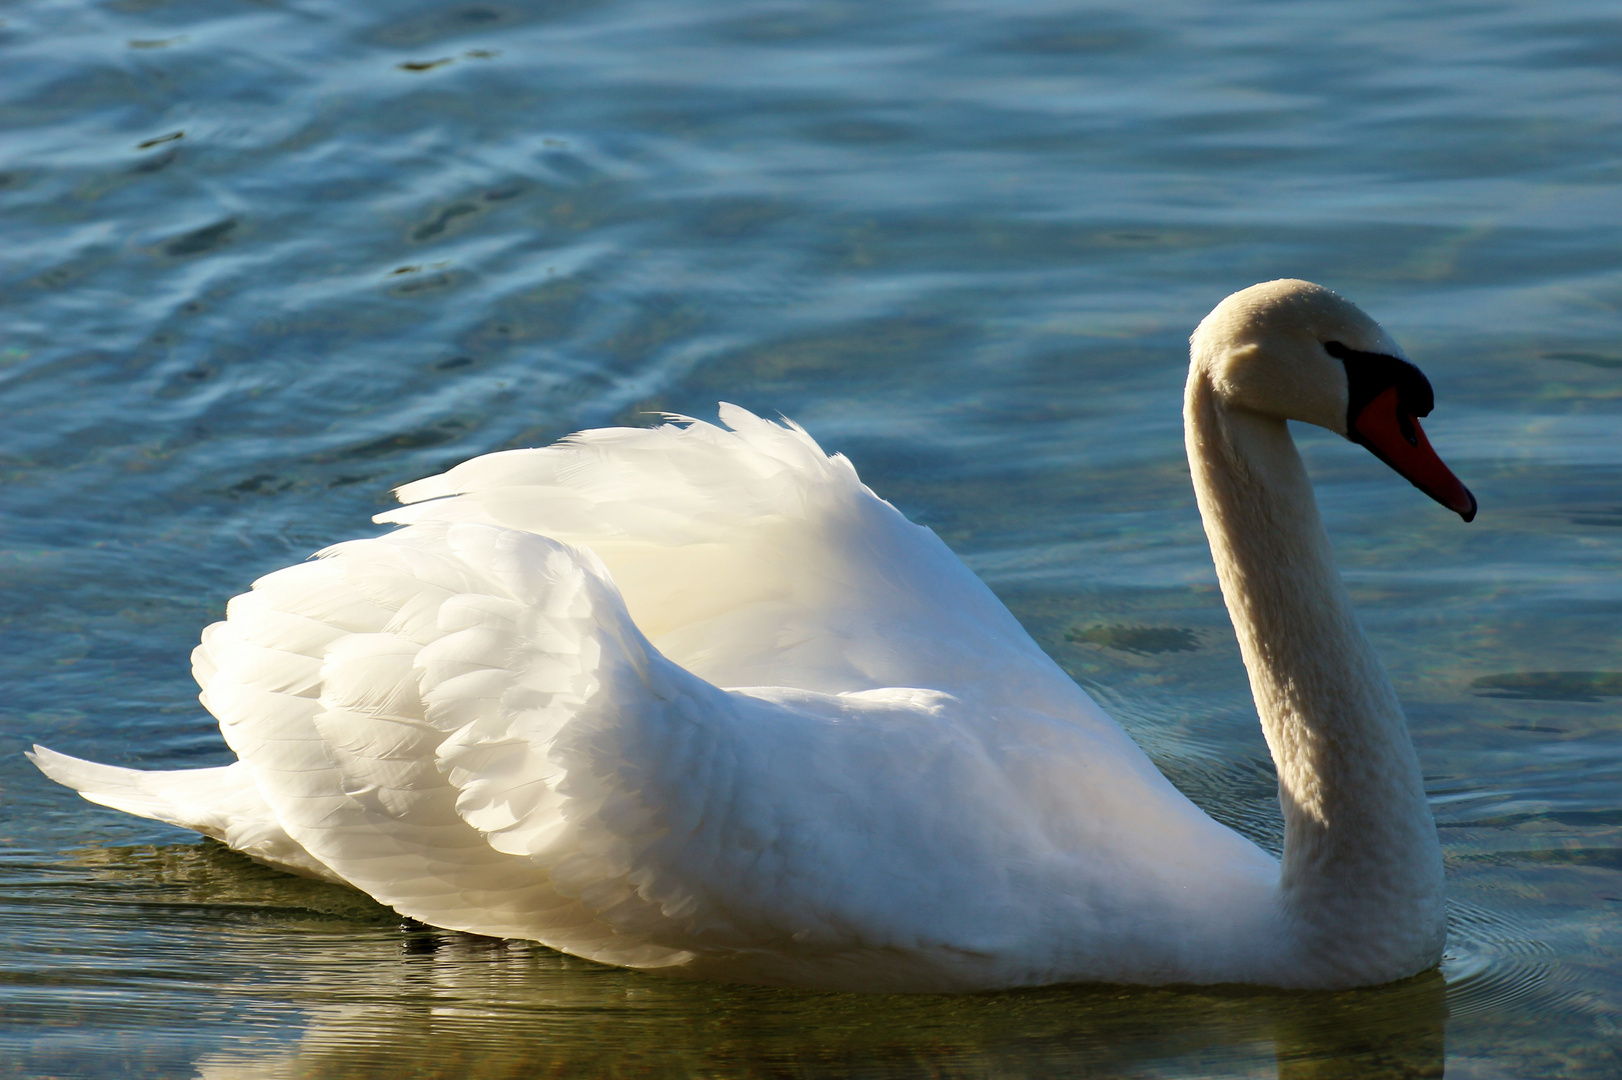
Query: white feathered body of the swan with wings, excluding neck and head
{"points": [[505, 718]]}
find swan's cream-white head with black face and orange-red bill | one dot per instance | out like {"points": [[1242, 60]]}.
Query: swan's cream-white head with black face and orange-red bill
{"points": [[1297, 351]]}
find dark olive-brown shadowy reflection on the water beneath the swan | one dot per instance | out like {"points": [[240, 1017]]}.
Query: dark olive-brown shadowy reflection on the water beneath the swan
{"points": [[319, 982]]}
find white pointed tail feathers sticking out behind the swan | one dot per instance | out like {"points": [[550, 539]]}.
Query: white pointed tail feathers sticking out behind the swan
{"points": [[220, 804]]}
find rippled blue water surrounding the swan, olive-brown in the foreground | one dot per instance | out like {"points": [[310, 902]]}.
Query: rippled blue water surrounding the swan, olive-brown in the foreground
{"points": [[267, 260]]}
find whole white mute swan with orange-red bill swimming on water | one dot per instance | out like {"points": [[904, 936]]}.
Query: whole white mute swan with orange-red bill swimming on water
{"points": [[508, 716]]}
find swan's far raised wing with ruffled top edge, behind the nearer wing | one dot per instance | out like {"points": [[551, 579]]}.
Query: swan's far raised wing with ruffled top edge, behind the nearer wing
{"points": [[753, 559]]}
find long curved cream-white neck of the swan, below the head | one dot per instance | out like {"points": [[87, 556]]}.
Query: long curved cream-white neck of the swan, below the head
{"points": [[1362, 880]]}
